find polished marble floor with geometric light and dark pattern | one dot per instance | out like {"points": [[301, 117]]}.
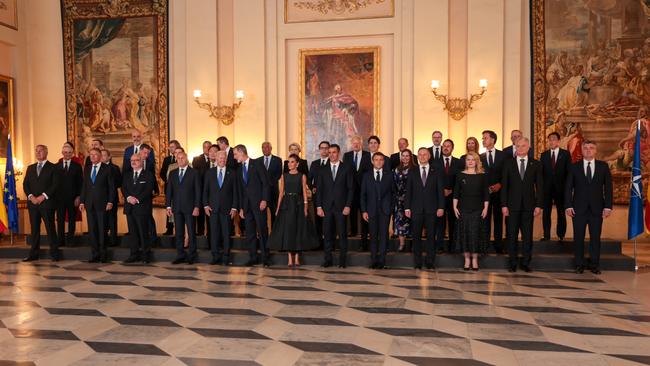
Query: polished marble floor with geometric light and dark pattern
{"points": [[74, 313]]}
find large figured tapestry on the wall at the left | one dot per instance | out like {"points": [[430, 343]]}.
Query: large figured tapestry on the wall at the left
{"points": [[116, 73]]}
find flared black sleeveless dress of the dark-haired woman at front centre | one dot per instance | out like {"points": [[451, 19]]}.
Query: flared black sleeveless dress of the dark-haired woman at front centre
{"points": [[293, 231]]}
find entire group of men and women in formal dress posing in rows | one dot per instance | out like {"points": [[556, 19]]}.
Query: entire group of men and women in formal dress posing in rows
{"points": [[425, 196]]}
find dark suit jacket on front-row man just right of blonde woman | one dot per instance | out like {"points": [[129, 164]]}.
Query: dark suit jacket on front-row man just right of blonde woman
{"points": [[518, 194]]}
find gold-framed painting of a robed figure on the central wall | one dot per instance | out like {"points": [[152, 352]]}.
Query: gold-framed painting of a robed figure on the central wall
{"points": [[339, 96]]}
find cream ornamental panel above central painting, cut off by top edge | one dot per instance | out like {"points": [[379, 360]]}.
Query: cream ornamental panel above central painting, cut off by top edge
{"points": [[300, 11]]}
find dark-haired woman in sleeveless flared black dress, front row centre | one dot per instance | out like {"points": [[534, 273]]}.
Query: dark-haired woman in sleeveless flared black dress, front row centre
{"points": [[293, 230]]}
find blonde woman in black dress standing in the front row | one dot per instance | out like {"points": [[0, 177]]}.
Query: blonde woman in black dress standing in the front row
{"points": [[471, 198]]}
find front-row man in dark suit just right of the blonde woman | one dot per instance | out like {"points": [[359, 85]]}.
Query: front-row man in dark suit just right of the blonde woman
{"points": [[522, 199]]}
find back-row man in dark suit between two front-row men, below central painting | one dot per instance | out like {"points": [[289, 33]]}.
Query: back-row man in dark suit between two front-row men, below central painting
{"points": [[358, 161]]}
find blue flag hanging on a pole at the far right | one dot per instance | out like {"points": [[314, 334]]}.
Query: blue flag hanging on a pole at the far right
{"points": [[635, 213]]}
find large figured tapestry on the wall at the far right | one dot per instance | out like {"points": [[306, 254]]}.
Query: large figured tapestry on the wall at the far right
{"points": [[591, 79]]}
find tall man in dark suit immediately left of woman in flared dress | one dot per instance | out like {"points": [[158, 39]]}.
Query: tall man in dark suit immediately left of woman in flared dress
{"points": [[253, 188]]}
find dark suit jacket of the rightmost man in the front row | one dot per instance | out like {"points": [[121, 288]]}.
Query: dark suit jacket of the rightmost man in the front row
{"points": [[586, 197]]}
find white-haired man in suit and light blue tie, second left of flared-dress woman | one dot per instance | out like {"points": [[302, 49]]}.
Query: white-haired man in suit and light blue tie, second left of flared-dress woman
{"points": [[220, 203]]}
